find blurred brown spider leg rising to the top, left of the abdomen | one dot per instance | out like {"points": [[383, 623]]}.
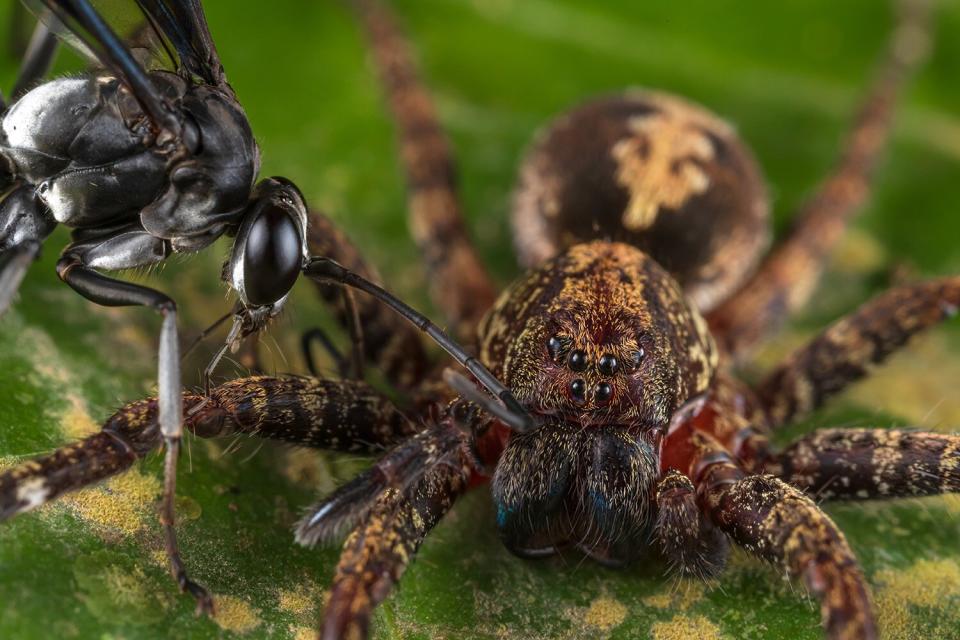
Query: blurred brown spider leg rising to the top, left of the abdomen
{"points": [[459, 283]]}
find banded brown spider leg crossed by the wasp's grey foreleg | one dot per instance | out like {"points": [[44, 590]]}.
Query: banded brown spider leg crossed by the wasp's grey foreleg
{"points": [[340, 415]]}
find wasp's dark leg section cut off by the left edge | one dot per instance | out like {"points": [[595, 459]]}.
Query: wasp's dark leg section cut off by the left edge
{"points": [[24, 224]]}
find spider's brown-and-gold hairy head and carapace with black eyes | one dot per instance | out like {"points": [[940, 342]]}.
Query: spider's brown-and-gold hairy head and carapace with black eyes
{"points": [[601, 335]]}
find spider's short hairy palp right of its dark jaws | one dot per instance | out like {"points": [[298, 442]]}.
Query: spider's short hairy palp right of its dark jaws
{"points": [[687, 538]]}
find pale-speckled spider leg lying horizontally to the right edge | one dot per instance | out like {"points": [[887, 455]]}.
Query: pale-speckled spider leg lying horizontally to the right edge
{"points": [[858, 464]]}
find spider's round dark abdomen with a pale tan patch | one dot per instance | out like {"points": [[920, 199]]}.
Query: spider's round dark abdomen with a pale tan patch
{"points": [[652, 170]]}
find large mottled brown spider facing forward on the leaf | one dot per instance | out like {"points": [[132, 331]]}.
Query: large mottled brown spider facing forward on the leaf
{"points": [[643, 221]]}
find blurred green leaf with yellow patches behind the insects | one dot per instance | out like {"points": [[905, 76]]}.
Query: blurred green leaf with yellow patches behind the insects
{"points": [[788, 74]]}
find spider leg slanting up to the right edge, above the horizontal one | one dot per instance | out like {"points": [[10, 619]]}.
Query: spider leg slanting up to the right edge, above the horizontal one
{"points": [[848, 349]]}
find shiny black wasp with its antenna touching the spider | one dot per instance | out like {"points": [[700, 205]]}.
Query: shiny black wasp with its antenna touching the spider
{"points": [[145, 162]]}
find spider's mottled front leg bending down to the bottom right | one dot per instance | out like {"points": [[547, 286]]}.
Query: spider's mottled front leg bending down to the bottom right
{"points": [[780, 524]]}
